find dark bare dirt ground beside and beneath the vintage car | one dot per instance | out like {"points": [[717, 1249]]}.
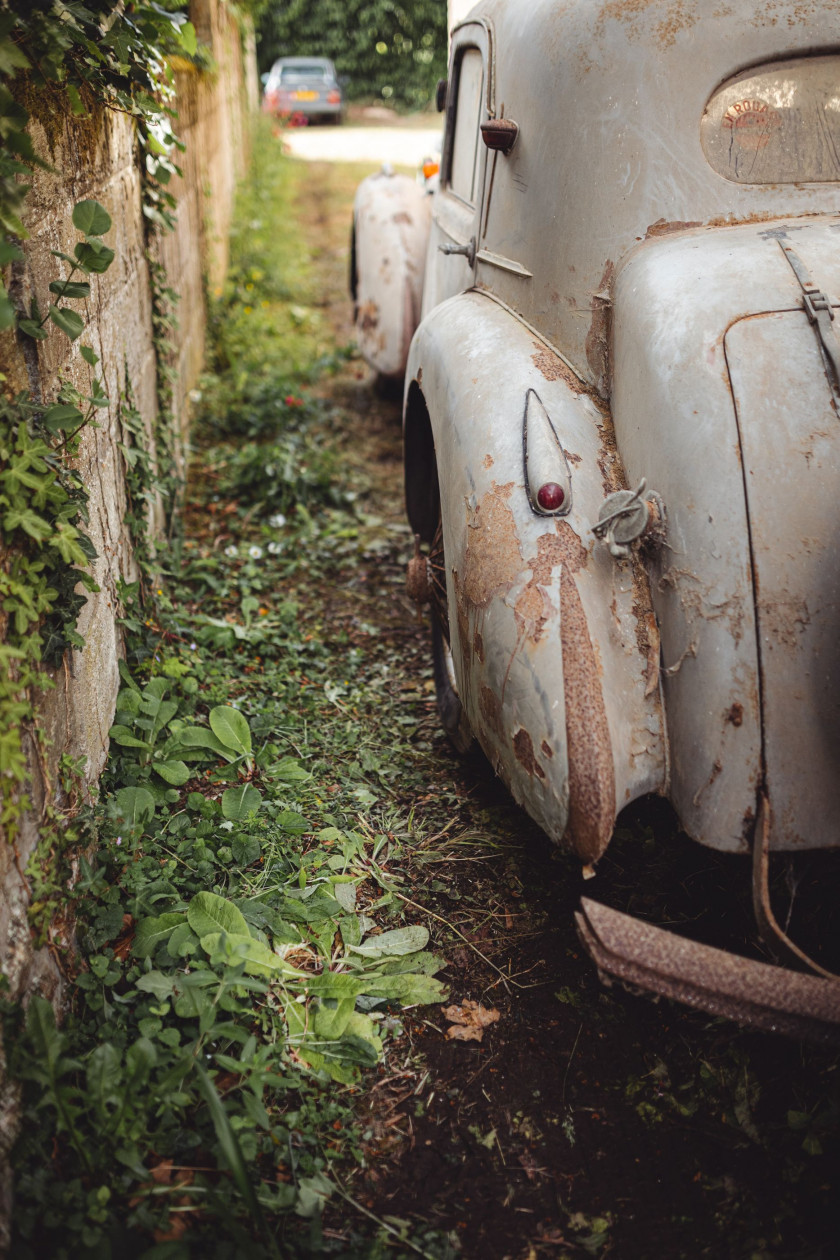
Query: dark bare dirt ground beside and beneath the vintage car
{"points": [[587, 1121]]}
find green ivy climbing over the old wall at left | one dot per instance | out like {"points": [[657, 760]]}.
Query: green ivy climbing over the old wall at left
{"points": [[62, 59]]}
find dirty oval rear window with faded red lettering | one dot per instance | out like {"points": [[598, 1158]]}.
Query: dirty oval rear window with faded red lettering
{"points": [[778, 124]]}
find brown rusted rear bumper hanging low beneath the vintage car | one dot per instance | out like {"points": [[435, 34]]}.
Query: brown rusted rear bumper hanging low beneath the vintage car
{"points": [[756, 995]]}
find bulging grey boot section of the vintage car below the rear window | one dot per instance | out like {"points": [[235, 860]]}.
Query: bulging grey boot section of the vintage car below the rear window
{"points": [[724, 401]]}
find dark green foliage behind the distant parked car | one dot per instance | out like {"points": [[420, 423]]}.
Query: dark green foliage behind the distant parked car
{"points": [[395, 52]]}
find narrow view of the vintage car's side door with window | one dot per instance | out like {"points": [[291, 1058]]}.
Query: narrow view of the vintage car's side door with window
{"points": [[457, 214]]}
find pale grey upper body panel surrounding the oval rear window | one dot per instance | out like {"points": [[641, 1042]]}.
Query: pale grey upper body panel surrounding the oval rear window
{"points": [[609, 99]]}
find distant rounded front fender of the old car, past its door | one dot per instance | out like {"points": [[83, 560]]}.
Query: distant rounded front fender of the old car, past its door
{"points": [[391, 224]]}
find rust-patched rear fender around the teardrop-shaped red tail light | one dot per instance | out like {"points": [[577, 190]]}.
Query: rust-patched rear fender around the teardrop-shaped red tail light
{"points": [[555, 646]]}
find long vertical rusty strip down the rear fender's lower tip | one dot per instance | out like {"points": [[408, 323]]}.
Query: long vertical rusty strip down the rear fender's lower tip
{"points": [[593, 786]]}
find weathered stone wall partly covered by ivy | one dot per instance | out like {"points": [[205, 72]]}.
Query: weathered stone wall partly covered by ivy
{"points": [[98, 157]]}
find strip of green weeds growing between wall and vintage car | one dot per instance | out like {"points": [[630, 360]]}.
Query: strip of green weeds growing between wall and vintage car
{"points": [[244, 943]]}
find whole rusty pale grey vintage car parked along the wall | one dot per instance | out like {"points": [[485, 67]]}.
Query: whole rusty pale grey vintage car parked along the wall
{"points": [[623, 439]]}
